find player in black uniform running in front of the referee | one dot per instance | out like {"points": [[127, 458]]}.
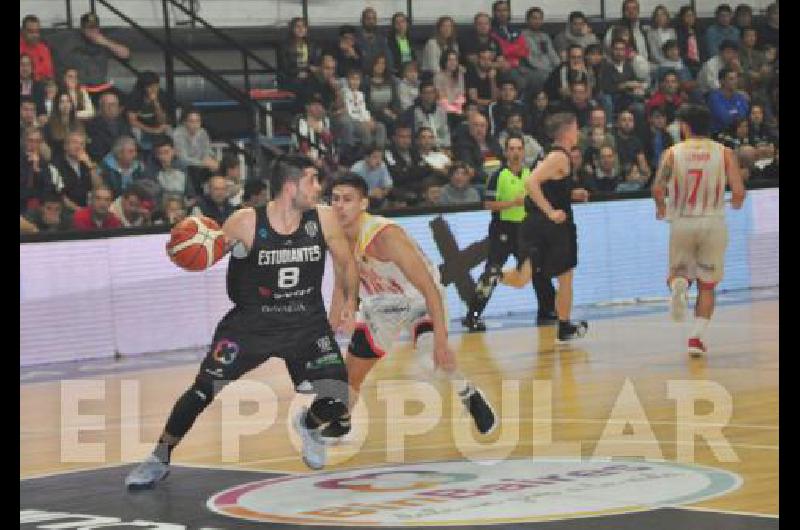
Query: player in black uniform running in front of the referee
{"points": [[548, 237]]}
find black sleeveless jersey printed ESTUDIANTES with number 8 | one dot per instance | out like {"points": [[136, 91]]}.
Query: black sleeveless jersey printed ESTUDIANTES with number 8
{"points": [[277, 286]]}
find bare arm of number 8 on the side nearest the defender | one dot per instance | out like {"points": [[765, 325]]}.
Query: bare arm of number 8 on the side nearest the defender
{"points": [[343, 306]]}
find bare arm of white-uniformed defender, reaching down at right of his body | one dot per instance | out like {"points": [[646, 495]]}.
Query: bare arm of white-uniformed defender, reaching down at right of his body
{"points": [[393, 244]]}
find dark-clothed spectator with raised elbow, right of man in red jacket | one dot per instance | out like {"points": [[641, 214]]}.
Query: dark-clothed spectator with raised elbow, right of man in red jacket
{"points": [[88, 51]]}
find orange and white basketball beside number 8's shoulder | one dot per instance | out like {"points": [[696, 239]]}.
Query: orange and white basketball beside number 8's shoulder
{"points": [[196, 243]]}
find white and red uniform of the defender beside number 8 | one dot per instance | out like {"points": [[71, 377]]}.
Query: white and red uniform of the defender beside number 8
{"points": [[389, 302]]}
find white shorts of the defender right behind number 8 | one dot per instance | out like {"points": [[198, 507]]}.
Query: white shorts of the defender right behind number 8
{"points": [[381, 318]]}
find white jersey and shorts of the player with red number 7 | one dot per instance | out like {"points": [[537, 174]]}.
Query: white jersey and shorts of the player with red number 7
{"points": [[696, 210]]}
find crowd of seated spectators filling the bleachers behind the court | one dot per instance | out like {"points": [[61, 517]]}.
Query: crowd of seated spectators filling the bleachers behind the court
{"points": [[424, 124]]}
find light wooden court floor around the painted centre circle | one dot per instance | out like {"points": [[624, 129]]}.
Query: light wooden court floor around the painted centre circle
{"points": [[618, 392]]}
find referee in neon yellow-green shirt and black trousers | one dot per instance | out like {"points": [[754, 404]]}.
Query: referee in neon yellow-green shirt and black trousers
{"points": [[505, 194]]}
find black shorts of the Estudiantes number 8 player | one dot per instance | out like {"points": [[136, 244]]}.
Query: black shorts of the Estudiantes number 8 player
{"points": [[236, 349]]}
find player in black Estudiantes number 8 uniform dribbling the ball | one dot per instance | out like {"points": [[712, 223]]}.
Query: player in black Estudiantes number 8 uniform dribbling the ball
{"points": [[274, 280]]}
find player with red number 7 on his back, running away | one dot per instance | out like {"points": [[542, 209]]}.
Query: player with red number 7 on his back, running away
{"points": [[689, 191]]}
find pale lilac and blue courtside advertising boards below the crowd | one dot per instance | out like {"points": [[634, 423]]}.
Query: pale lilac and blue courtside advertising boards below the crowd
{"points": [[101, 297]]}
